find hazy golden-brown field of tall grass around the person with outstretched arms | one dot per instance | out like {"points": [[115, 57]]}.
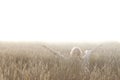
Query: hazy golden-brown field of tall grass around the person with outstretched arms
{"points": [[32, 61]]}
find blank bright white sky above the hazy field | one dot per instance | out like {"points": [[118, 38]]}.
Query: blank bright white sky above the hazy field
{"points": [[60, 20]]}
